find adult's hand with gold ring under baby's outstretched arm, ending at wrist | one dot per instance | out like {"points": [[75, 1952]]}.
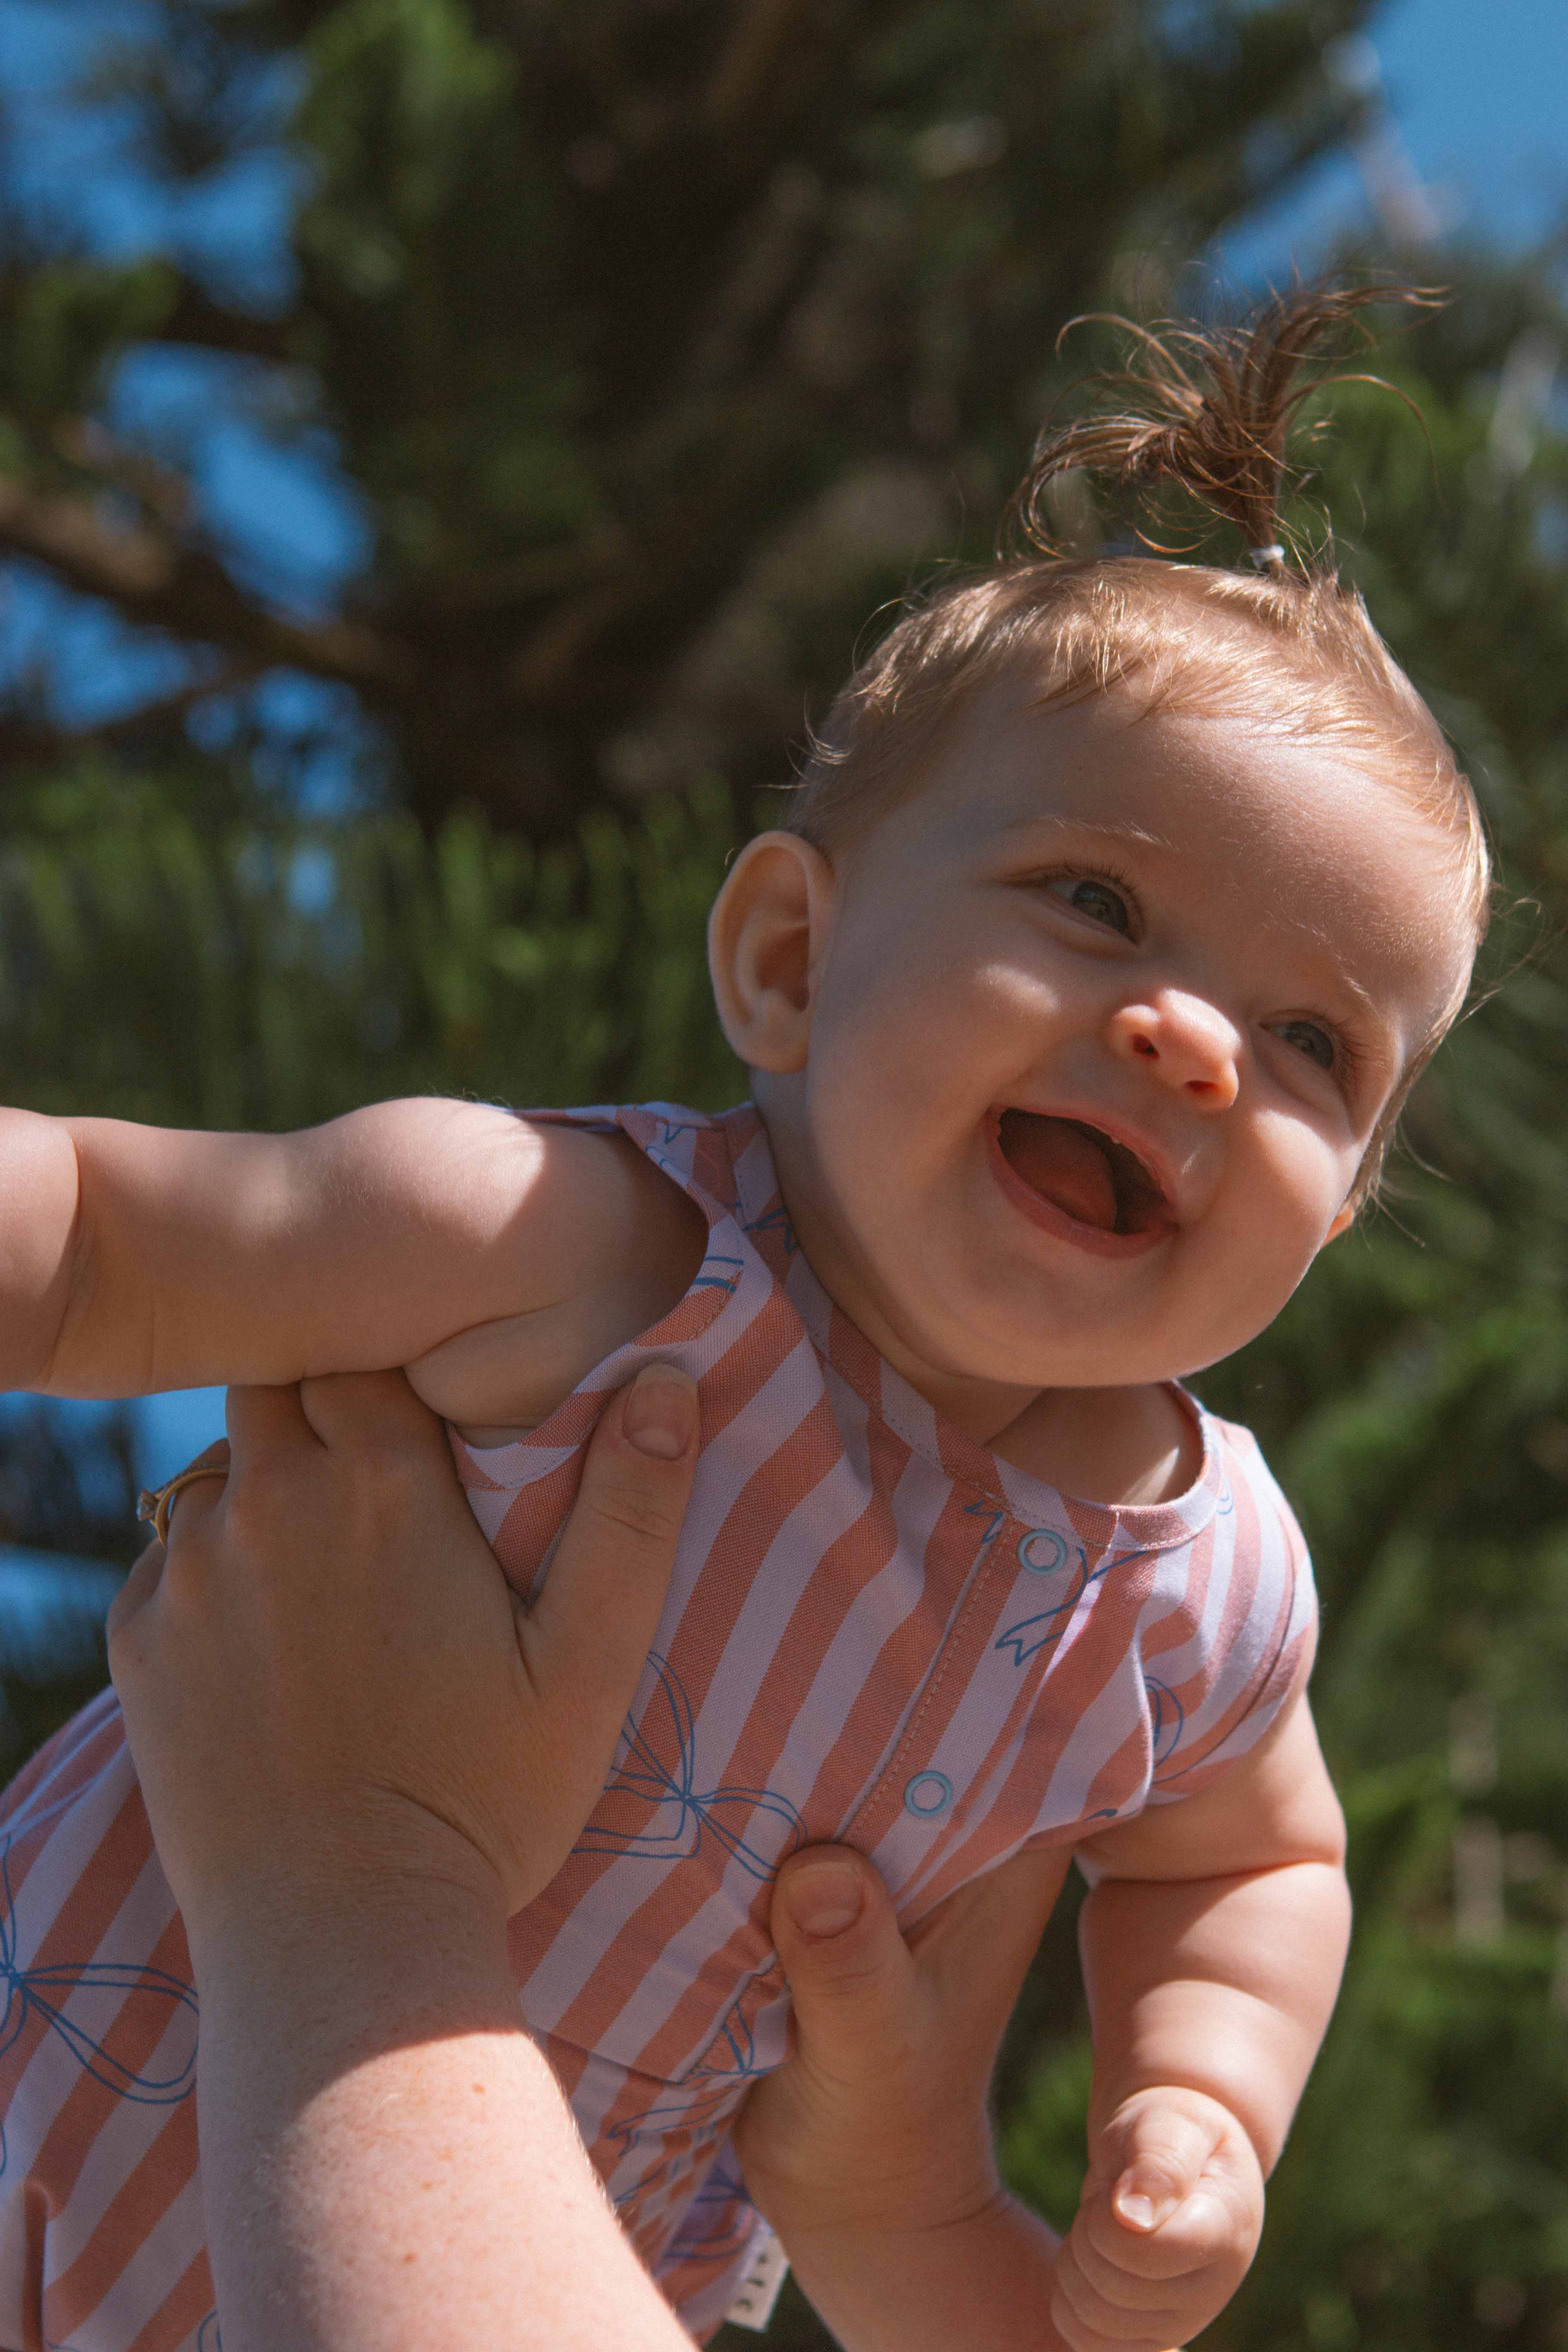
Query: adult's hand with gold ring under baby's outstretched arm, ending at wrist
{"points": [[328, 1676]]}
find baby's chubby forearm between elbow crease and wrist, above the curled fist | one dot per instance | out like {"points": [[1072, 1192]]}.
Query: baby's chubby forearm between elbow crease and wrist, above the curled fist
{"points": [[1221, 1986]]}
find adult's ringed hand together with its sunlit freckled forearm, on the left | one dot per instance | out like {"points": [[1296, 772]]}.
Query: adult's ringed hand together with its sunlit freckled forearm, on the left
{"points": [[359, 1758]]}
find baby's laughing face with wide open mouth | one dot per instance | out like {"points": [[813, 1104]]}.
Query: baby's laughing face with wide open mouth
{"points": [[1104, 1027]]}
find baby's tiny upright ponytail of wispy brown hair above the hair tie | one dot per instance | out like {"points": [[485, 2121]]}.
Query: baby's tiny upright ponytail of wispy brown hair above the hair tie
{"points": [[1209, 410]]}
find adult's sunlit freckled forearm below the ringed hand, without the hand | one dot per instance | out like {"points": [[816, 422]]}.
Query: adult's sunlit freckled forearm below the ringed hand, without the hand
{"points": [[387, 2158]]}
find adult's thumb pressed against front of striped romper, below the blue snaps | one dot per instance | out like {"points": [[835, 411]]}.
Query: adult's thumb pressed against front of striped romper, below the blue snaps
{"points": [[852, 1975]]}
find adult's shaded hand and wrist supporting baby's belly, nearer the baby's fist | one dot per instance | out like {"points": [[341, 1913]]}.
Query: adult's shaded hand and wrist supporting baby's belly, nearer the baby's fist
{"points": [[871, 2149]]}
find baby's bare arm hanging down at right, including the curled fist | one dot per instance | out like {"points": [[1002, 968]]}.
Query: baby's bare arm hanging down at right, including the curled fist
{"points": [[1212, 1953]]}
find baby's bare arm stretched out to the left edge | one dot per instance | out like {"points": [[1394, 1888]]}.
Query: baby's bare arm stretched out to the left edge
{"points": [[138, 1259]]}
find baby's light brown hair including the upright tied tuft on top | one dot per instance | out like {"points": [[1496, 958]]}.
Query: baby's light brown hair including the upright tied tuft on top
{"points": [[1280, 643]]}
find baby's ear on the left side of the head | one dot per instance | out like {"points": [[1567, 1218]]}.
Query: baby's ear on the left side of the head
{"points": [[765, 949]]}
